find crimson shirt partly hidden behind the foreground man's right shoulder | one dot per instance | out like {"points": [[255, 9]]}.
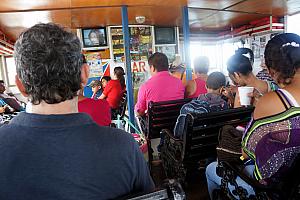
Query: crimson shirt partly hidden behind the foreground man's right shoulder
{"points": [[99, 110]]}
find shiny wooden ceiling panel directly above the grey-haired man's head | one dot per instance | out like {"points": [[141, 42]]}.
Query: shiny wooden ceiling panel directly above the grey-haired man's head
{"points": [[14, 23]]}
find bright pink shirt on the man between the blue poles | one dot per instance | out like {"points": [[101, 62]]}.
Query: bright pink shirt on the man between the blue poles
{"points": [[160, 87]]}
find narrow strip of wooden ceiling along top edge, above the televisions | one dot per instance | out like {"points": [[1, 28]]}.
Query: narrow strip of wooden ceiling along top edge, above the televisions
{"points": [[81, 3]]}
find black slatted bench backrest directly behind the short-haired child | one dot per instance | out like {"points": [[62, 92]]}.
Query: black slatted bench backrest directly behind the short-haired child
{"points": [[201, 136]]}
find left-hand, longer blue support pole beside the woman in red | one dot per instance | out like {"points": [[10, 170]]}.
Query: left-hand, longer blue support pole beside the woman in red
{"points": [[129, 87]]}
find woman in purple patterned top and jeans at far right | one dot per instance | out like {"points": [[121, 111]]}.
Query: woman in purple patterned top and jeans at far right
{"points": [[272, 139]]}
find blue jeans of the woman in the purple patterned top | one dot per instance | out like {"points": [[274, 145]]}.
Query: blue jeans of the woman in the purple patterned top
{"points": [[214, 181]]}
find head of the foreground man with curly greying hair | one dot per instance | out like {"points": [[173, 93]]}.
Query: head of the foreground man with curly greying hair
{"points": [[49, 64]]}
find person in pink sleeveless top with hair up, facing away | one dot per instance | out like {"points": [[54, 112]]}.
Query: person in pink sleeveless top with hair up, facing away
{"points": [[197, 86]]}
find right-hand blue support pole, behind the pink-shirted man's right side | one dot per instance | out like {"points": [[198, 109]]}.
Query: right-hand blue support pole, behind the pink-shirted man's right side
{"points": [[186, 37]]}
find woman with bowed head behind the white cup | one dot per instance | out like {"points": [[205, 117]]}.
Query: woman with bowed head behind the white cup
{"points": [[240, 72]]}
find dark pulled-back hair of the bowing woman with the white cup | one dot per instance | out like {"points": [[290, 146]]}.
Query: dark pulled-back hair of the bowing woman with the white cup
{"points": [[240, 64]]}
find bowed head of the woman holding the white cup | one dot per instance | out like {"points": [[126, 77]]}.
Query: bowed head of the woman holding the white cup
{"points": [[239, 68]]}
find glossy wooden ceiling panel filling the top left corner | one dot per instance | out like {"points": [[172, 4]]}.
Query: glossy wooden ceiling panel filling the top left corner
{"points": [[17, 5]]}
